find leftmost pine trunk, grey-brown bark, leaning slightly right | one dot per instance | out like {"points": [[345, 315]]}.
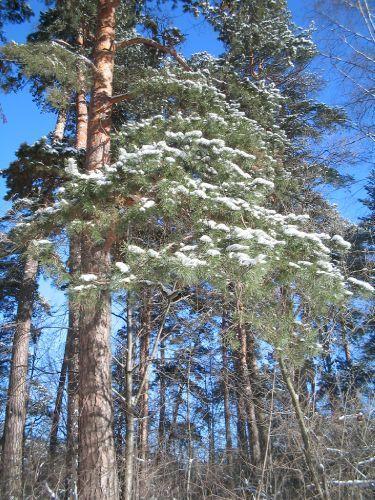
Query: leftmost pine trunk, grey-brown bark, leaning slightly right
{"points": [[11, 467]]}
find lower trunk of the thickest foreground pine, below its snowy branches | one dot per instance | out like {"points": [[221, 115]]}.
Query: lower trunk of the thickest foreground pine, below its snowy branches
{"points": [[97, 476]]}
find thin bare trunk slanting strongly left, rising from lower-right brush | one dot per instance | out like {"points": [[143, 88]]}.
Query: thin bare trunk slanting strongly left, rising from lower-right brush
{"points": [[308, 453]]}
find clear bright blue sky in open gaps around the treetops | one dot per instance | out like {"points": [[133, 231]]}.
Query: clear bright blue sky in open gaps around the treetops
{"points": [[25, 122]]}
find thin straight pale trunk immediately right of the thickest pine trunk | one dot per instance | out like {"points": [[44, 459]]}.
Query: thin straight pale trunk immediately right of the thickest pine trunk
{"points": [[129, 436]]}
